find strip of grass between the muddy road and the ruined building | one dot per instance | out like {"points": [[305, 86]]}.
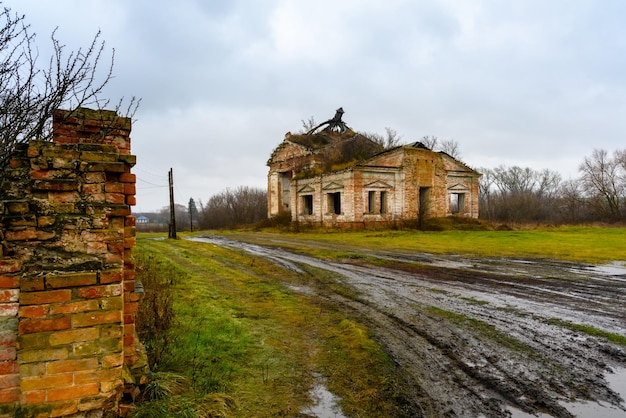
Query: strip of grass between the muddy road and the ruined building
{"points": [[583, 244]]}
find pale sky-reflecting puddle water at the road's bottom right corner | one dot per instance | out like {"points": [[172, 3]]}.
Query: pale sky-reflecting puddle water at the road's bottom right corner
{"points": [[617, 382]]}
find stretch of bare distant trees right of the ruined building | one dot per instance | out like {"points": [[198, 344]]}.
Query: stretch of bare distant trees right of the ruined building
{"points": [[515, 194]]}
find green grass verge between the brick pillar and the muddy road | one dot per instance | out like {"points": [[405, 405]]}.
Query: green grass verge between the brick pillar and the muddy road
{"points": [[241, 333]]}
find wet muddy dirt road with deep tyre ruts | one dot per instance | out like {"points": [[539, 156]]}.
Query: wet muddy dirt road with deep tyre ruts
{"points": [[485, 337]]}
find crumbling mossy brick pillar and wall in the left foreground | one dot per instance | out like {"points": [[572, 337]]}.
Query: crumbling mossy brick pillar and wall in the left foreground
{"points": [[67, 278]]}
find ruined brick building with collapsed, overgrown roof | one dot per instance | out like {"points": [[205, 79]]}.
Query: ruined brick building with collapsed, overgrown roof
{"points": [[335, 176]]}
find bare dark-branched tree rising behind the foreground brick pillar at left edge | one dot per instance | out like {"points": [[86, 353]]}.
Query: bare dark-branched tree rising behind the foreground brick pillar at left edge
{"points": [[29, 94]]}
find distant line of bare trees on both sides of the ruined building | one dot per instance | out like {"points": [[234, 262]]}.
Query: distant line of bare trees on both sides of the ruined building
{"points": [[507, 194]]}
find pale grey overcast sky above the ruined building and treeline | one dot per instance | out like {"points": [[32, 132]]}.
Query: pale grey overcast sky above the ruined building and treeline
{"points": [[533, 83]]}
